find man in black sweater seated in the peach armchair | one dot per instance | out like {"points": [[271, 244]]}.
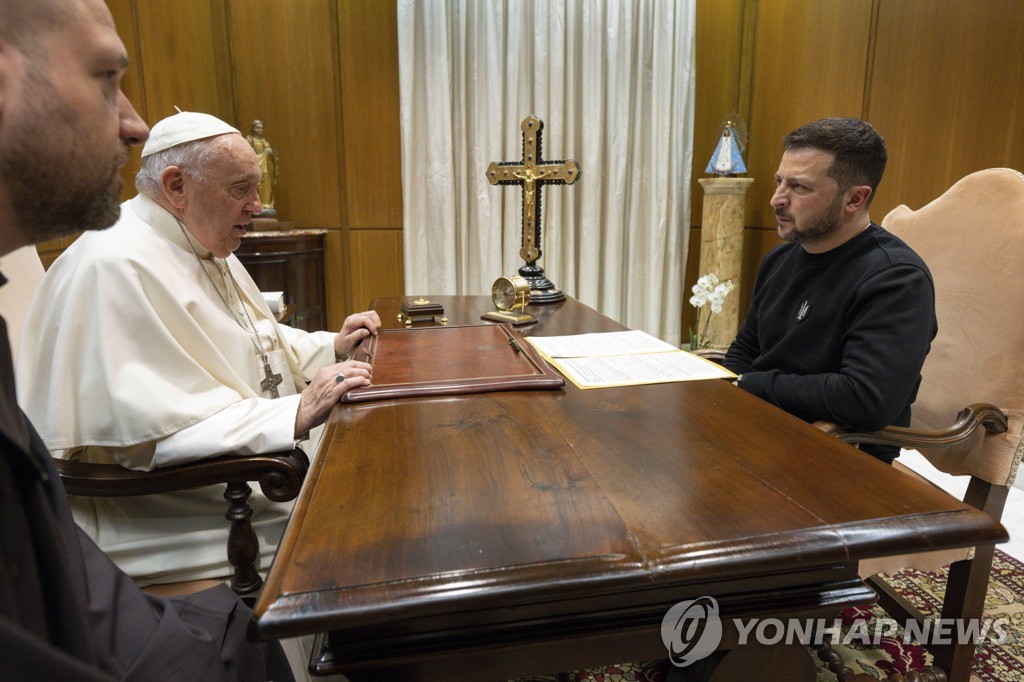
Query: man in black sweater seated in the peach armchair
{"points": [[843, 315]]}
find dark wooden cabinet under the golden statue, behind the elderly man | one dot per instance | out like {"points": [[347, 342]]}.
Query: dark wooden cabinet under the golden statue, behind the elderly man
{"points": [[293, 263]]}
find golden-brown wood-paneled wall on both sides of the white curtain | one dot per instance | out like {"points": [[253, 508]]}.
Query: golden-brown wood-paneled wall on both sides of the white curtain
{"points": [[941, 80]]}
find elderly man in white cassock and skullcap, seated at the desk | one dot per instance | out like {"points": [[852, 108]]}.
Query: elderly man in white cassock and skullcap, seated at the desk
{"points": [[152, 347]]}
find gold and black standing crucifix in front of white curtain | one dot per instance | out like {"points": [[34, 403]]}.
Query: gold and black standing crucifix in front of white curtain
{"points": [[532, 175]]}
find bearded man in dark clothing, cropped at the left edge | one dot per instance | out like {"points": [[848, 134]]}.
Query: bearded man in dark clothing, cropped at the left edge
{"points": [[67, 613]]}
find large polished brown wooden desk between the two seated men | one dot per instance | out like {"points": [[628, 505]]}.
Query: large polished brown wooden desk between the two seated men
{"points": [[501, 535]]}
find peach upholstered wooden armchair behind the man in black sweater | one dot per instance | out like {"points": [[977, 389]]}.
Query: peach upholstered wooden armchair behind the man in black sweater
{"points": [[969, 416]]}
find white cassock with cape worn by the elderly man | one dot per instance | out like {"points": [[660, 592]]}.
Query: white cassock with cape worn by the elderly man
{"points": [[130, 356]]}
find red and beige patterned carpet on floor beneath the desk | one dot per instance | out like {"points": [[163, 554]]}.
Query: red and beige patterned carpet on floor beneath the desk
{"points": [[994, 663]]}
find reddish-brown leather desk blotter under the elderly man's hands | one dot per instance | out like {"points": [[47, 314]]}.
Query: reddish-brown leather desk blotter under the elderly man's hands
{"points": [[449, 361]]}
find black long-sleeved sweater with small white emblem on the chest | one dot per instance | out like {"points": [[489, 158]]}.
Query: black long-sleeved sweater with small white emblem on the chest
{"points": [[842, 335]]}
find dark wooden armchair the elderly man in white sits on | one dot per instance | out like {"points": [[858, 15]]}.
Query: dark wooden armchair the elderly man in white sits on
{"points": [[280, 475]]}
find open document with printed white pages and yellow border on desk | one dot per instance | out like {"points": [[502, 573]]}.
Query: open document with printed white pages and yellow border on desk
{"points": [[623, 359]]}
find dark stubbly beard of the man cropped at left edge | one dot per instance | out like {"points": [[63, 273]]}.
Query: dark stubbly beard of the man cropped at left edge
{"points": [[54, 187]]}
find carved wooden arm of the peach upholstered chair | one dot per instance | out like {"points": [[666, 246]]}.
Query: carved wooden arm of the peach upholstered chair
{"points": [[970, 419]]}
